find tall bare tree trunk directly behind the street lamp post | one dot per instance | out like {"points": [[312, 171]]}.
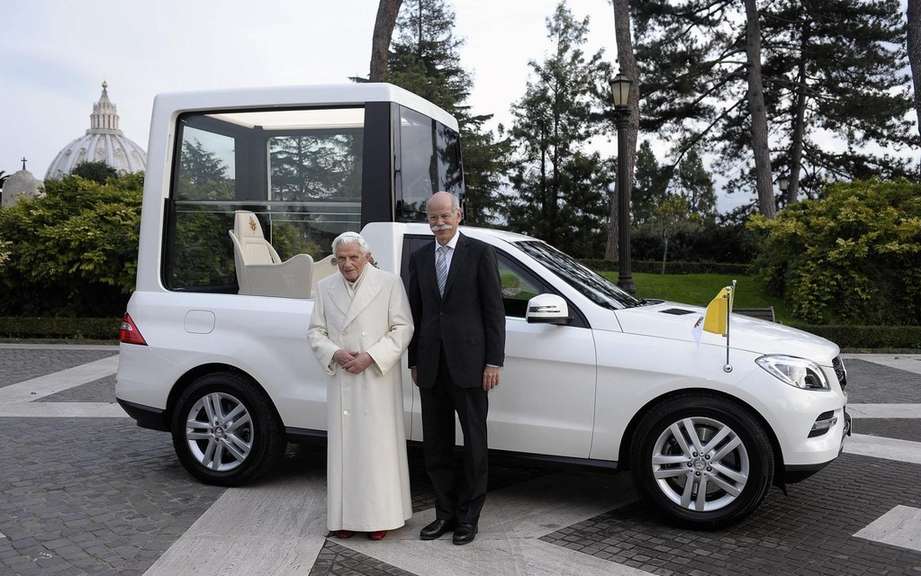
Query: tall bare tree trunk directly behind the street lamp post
{"points": [[627, 61]]}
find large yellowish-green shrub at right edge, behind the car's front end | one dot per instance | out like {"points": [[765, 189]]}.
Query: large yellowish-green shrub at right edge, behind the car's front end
{"points": [[852, 257]]}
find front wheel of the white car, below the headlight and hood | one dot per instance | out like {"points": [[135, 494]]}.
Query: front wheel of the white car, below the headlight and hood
{"points": [[703, 482]]}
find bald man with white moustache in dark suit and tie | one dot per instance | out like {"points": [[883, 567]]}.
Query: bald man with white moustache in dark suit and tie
{"points": [[456, 354]]}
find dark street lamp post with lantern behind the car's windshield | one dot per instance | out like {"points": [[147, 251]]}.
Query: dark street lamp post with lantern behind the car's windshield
{"points": [[620, 93]]}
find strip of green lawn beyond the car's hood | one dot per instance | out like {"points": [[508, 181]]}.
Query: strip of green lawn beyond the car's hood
{"points": [[699, 289]]}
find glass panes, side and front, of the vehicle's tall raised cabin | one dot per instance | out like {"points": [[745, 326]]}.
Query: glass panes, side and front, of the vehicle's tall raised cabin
{"points": [[307, 174]]}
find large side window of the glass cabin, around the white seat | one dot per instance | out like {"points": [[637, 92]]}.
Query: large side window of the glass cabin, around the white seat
{"points": [[299, 171]]}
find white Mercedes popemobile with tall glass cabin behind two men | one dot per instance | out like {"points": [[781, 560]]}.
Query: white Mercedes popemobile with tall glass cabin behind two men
{"points": [[243, 193]]}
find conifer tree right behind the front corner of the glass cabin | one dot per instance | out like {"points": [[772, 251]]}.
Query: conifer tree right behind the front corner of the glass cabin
{"points": [[425, 60]]}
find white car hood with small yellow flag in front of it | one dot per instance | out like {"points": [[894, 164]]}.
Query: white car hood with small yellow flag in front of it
{"points": [[676, 321]]}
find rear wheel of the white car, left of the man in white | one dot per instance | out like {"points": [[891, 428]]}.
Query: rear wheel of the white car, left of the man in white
{"points": [[224, 430]]}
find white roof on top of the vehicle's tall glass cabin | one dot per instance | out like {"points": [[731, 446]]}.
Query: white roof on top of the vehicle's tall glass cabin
{"points": [[307, 95]]}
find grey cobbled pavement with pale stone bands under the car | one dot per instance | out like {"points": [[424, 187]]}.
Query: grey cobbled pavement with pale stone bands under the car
{"points": [[97, 495]]}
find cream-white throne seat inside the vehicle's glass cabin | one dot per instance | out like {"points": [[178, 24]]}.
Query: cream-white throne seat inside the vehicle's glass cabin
{"points": [[260, 271]]}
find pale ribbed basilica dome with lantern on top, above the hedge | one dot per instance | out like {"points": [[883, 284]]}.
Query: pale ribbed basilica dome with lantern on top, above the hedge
{"points": [[103, 142]]}
